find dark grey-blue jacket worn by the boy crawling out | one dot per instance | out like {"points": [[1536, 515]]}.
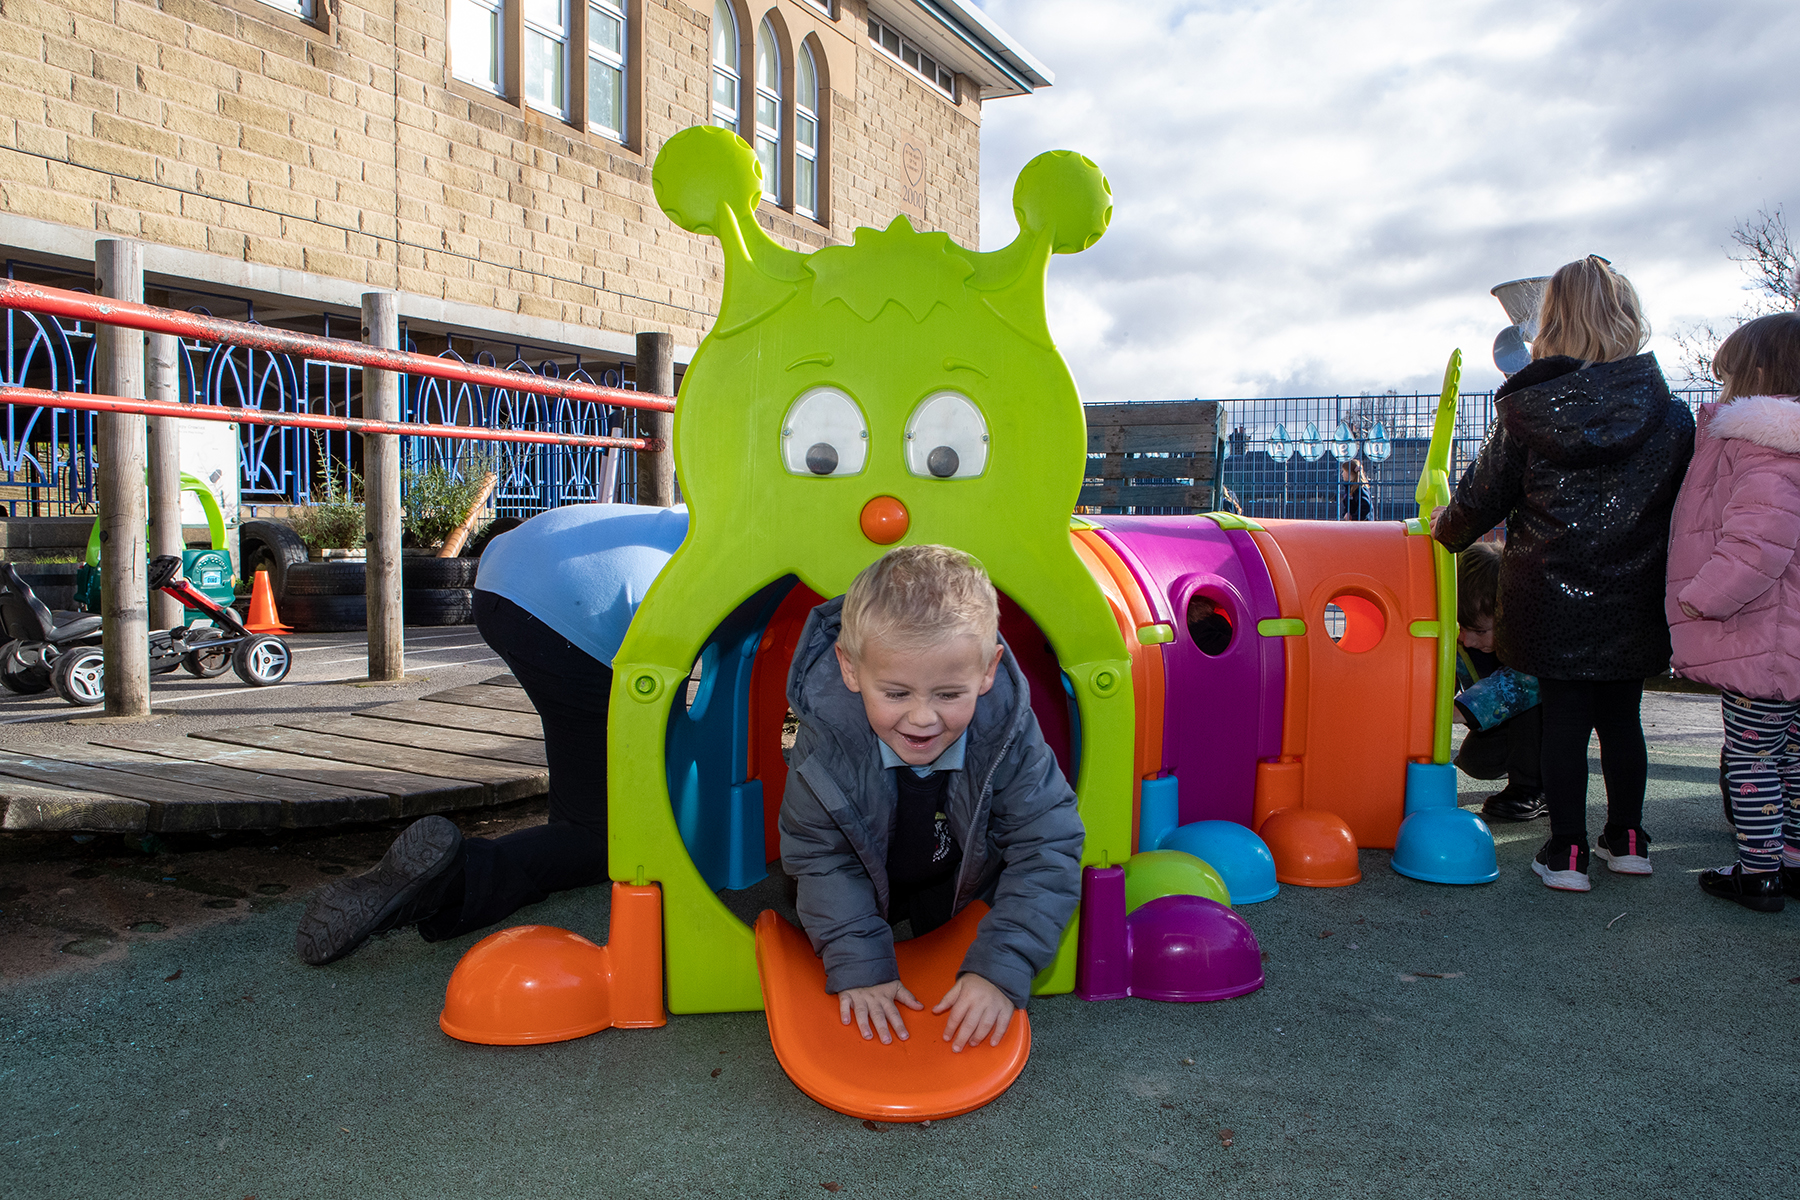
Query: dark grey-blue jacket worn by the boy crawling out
{"points": [[1011, 810]]}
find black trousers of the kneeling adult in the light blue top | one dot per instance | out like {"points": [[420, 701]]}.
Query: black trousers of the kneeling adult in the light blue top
{"points": [[570, 690]]}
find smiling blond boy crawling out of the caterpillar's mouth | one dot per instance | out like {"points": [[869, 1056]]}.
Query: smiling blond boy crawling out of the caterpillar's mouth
{"points": [[921, 784]]}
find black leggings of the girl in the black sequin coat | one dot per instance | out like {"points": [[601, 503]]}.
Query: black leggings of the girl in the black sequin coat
{"points": [[1576, 710]]}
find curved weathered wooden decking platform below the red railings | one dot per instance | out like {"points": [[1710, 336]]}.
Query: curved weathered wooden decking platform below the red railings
{"points": [[456, 749]]}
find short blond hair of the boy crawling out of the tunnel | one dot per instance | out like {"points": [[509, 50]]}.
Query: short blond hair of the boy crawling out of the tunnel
{"points": [[921, 596]]}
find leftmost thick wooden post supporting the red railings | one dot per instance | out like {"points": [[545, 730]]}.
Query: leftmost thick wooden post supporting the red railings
{"points": [[120, 372]]}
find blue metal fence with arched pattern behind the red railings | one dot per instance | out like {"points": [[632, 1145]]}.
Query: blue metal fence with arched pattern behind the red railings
{"points": [[48, 454]]}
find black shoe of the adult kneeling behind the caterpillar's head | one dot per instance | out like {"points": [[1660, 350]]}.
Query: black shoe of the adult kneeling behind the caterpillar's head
{"points": [[397, 891]]}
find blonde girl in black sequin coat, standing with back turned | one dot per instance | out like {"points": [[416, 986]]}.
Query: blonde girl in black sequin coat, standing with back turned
{"points": [[1583, 463]]}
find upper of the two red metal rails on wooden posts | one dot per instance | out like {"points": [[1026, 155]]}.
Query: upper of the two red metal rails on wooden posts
{"points": [[195, 327]]}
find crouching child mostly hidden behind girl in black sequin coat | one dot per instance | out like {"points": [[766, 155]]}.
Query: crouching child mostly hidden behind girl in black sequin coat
{"points": [[1497, 704]]}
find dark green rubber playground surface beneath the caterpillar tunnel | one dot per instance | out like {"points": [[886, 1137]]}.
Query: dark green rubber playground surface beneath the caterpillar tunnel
{"points": [[1412, 1041]]}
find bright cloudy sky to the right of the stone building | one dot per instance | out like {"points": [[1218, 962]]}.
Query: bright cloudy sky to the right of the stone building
{"points": [[1315, 197]]}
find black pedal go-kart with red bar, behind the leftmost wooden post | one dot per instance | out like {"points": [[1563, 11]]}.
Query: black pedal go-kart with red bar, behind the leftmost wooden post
{"points": [[202, 650]]}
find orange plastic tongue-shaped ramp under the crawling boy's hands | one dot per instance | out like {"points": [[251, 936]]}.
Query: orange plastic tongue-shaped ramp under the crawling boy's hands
{"points": [[913, 1080]]}
